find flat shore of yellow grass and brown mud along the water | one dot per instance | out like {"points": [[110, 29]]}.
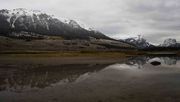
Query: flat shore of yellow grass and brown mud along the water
{"points": [[67, 57]]}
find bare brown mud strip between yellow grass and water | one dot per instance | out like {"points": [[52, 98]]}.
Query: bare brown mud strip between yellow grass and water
{"points": [[59, 60]]}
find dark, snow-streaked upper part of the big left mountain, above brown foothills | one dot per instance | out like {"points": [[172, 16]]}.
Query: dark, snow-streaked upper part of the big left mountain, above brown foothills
{"points": [[34, 21]]}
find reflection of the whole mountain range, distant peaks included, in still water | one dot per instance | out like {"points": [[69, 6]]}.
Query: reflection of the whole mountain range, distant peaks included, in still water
{"points": [[22, 78]]}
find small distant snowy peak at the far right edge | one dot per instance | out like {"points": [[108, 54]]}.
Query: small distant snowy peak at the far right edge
{"points": [[170, 43]]}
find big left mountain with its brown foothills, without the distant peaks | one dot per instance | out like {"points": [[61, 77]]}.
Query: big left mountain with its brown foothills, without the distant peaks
{"points": [[22, 29]]}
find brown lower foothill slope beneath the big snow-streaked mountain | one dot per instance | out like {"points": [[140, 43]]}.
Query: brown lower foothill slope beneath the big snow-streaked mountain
{"points": [[58, 44]]}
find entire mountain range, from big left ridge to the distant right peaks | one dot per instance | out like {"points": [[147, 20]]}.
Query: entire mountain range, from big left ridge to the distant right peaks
{"points": [[33, 24]]}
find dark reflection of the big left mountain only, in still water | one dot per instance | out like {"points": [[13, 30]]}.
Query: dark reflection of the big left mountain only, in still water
{"points": [[22, 78]]}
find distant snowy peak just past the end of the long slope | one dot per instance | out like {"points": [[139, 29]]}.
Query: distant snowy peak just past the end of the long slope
{"points": [[139, 42]]}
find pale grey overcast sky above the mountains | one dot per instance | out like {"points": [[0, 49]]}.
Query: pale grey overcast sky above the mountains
{"points": [[156, 20]]}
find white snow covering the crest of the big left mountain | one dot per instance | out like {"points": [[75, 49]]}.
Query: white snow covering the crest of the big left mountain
{"points": [[17, 13]]}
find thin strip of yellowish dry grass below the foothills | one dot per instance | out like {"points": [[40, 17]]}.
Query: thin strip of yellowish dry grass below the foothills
{"points": [[69, 53]]}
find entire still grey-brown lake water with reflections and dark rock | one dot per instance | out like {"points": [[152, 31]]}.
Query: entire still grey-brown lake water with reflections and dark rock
{"points": [[137, 79]]}
